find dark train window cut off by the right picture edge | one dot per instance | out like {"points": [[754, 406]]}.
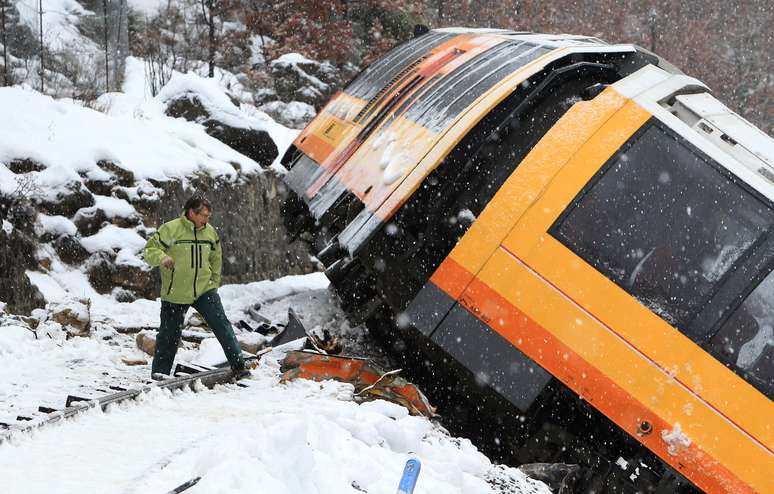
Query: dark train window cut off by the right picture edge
{"points": [[745, 341]]}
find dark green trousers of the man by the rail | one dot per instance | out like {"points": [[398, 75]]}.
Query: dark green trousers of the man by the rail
{"points": [[172, 317]]}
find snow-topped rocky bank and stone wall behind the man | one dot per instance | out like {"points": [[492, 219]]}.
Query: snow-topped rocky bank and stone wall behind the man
{"points": [[81, 190]]}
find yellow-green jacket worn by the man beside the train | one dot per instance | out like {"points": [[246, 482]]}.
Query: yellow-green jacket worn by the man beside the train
{"points": [[198, 259]]}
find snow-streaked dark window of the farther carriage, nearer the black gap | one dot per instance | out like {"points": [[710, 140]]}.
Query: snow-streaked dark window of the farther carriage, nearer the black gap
{"points": [[444, 100]]}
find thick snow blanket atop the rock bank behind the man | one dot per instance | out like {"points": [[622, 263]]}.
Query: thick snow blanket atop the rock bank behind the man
{"points": [[150, 146]]}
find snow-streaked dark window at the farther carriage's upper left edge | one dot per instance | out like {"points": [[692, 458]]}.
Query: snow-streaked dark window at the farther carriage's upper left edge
{"points": [[378, 74]]}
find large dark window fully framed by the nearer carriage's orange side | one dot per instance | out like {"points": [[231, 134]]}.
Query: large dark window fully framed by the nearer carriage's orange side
{"points": [[664, 224]]}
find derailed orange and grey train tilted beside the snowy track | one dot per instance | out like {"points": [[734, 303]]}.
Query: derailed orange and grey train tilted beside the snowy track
{"points": [[573, 235]]}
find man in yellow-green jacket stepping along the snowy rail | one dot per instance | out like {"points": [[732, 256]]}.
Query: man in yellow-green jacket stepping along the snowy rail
{"points": [[188, 252]]}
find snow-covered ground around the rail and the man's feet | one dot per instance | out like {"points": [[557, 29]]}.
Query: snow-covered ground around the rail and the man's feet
{"points": [[299, 437]]}
